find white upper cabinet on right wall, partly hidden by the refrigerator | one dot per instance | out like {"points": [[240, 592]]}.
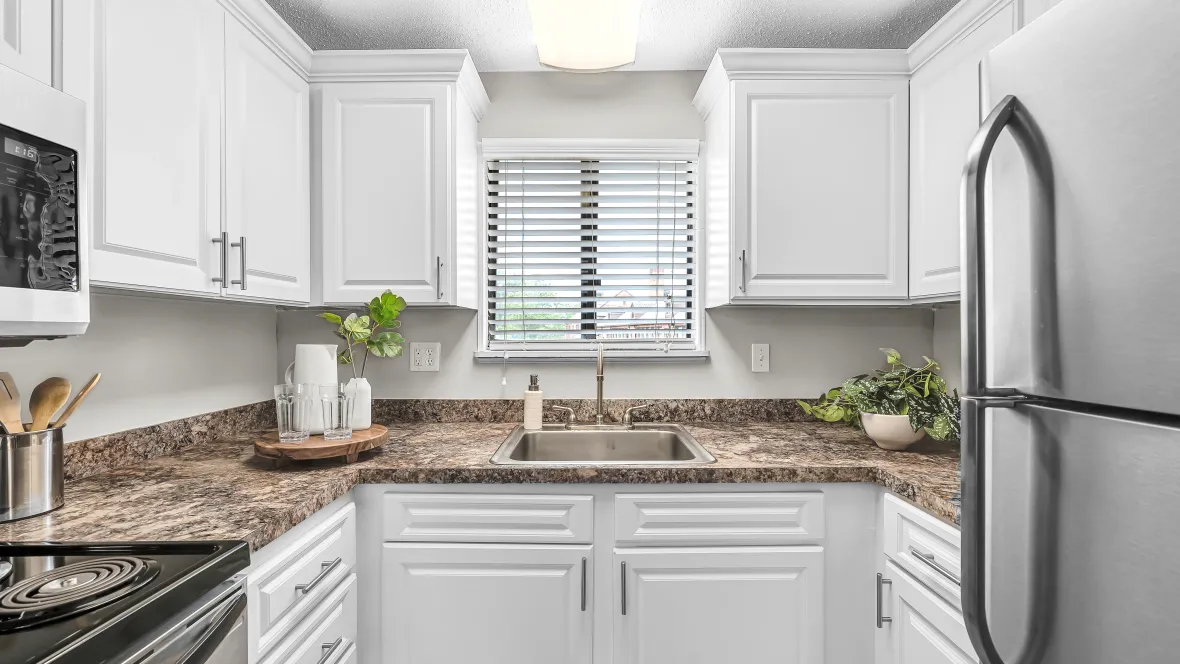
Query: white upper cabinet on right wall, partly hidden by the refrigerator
{"points": [[946, 107]]}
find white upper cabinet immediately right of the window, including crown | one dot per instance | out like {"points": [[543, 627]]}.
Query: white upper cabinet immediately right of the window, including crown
{"points": [[805, 176]]}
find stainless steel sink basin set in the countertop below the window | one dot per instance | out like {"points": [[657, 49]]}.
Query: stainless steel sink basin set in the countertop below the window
{"points": [[555, 445]]}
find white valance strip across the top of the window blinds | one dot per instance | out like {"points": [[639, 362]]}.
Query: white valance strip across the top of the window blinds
{"points": [[591, 148]]}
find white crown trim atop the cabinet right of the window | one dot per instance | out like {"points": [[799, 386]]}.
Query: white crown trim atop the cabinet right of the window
{"points": [[759, 64]]}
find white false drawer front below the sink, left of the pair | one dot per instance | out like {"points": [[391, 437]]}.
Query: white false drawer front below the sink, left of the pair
{"points": [[488, 518]]}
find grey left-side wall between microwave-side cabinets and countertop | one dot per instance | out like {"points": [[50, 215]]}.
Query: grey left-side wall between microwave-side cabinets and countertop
{"points": [[161, 360]]}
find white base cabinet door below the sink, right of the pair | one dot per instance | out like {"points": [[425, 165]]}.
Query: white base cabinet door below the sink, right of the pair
{"points": [[727, 606]]}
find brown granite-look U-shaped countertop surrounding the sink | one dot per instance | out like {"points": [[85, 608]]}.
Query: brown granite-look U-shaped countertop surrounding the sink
{"points": [[221, 491]]}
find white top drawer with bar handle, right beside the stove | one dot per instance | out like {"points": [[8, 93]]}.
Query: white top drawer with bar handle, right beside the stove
{"points": [[289, 586]]}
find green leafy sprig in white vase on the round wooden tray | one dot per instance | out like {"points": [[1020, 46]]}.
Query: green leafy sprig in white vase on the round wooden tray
{"points": [[373, 333]]}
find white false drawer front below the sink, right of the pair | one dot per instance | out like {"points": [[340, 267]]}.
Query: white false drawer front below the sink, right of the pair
{"points": [[719, 518]]}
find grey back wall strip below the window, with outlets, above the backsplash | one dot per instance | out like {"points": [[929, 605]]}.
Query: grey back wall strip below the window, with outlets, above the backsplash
{"points": [[811, 351]]}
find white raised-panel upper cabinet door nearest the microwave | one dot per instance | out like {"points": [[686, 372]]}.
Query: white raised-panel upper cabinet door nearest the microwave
{"points": [[158, 142]]}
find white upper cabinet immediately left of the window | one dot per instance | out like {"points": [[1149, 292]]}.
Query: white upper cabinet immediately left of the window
{"points": [[398, 181]]}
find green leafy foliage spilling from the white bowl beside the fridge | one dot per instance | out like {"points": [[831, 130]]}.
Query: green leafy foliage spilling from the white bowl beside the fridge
{"points": [[901, 390]]}
